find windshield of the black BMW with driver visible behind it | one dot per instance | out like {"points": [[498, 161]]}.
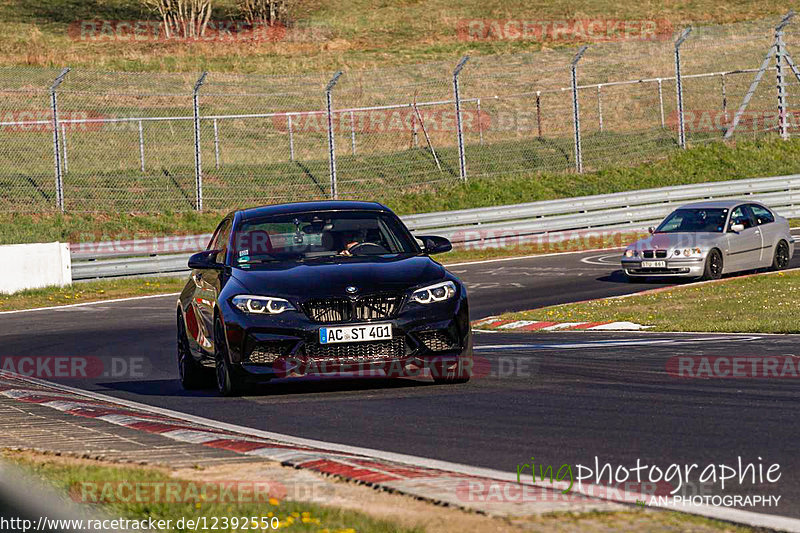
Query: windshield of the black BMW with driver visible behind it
{"points": [[305, 236]]}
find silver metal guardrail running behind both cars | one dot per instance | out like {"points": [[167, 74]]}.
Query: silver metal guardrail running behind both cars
{"points": [[555, 219]]}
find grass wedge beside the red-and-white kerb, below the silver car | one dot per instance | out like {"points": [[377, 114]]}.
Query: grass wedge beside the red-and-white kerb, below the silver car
{"points": [[754, 304]]}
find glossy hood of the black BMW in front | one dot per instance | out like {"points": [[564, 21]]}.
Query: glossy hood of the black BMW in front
{"points": [[322, 279]]}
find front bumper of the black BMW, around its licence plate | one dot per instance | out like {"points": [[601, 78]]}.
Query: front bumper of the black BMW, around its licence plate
{"points": [[434, 337]]}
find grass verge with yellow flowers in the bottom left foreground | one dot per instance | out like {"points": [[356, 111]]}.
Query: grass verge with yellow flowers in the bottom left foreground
{"points": [[294, 516]]}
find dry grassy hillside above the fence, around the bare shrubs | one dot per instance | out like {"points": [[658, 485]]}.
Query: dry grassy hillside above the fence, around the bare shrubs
{"points": [[351, 33]]}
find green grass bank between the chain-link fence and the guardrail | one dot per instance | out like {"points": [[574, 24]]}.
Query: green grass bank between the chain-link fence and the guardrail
{"points": [[510, 185]]}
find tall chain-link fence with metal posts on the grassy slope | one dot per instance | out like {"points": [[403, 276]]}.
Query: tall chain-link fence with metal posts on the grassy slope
{"points": [[82, 141]]}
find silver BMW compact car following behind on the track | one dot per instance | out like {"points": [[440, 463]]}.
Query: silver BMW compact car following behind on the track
{"points": [[708, 239]]}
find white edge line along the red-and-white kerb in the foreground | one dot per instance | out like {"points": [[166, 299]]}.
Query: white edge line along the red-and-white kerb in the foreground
{"points": [[737, 516]]}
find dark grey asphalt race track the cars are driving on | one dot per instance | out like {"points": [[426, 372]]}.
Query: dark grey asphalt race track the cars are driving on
{"points": [[560, 397]]}
